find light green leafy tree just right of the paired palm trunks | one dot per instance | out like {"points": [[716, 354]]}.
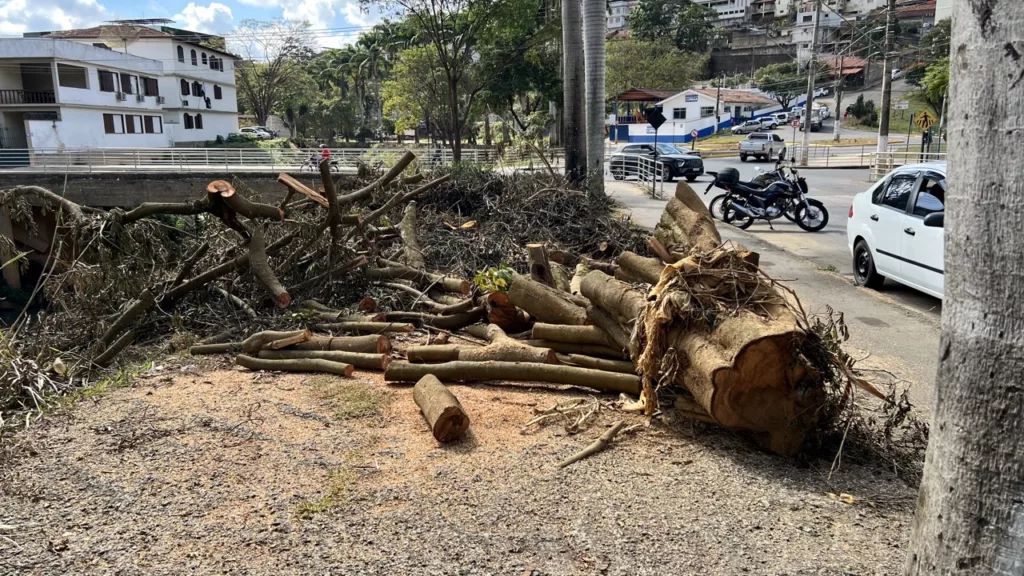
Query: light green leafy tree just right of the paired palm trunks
{"points": [[656, 64]]}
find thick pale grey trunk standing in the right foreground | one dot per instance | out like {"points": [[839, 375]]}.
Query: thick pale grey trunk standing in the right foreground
{"points": [[971, 508]]}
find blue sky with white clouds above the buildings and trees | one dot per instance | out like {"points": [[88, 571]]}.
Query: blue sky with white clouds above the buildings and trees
{"points": [[335, 23]]}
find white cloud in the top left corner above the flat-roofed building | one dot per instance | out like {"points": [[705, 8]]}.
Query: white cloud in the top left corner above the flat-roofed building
{"points": [[18, 17]]}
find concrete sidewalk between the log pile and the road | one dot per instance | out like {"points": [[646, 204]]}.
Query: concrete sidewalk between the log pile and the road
{"points": [[889, 337]]}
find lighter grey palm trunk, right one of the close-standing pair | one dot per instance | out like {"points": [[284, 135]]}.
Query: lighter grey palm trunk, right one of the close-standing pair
{"points": [[595, 27]]}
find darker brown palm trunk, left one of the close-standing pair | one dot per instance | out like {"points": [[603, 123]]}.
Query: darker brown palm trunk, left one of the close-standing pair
{"points": [[573, 93]]}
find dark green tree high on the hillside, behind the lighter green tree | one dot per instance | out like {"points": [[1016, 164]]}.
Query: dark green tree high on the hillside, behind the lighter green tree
{"points": [[691, 27]]}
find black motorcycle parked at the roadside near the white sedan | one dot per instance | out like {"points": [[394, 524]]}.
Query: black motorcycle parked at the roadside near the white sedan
{"points": [[786, 197]]}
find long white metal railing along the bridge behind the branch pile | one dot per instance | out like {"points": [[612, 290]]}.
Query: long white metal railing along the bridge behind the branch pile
{"points": [[245, 159]]}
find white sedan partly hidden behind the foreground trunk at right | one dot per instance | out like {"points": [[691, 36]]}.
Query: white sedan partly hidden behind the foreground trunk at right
{"points": [[895, 229]]}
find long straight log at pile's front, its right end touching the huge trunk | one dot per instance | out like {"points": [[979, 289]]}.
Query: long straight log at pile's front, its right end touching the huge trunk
{"points": [[516, 372]]}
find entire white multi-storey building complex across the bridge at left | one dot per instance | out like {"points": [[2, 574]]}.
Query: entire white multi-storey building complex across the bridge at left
{"points": [[68, 91]]}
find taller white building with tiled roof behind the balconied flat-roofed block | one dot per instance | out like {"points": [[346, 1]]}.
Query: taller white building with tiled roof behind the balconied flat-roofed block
{"points": [[197, 84]]}
